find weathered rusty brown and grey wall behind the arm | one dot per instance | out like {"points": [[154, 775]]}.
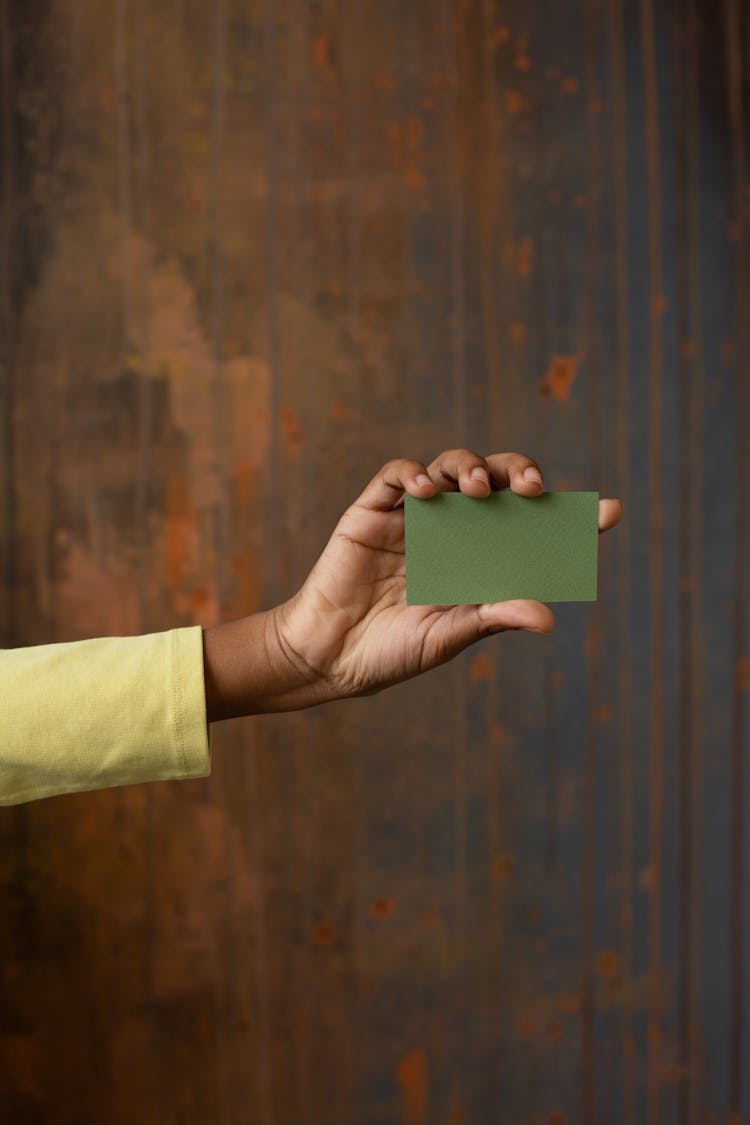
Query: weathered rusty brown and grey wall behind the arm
{"points": [[248, 253]]}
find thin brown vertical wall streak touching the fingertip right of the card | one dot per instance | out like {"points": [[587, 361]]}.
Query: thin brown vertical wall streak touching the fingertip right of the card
{"points": [[626, 687]]}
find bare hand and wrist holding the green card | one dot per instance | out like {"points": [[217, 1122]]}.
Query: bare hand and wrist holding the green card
{"points": [[349, 632]]}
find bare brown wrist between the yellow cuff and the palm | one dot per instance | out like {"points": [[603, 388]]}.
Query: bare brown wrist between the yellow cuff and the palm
{"points": [[250, 670]]}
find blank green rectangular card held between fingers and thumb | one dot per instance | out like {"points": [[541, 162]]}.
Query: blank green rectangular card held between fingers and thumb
{"points": [[466, 551]]}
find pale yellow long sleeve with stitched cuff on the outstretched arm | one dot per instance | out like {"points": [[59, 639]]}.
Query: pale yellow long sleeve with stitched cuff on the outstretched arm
{"points": [[109, 712]]}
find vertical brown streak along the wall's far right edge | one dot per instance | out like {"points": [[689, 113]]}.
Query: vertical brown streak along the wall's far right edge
{"points": [[743, 400]]}
